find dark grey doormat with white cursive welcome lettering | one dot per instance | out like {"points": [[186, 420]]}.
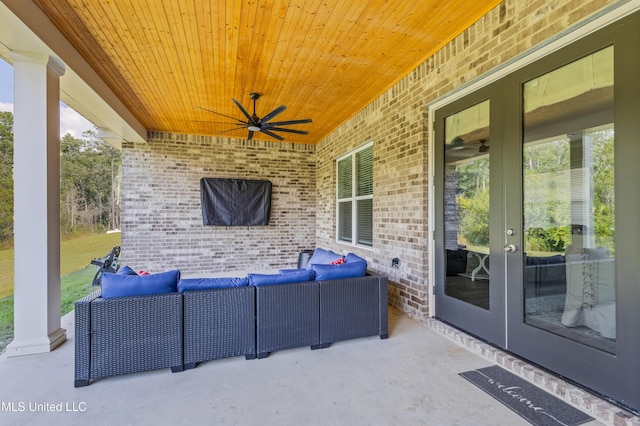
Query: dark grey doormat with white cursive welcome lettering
{"points": [[527, 400]]}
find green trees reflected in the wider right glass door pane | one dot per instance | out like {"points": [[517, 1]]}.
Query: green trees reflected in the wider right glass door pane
{"points": [[549, 193]]}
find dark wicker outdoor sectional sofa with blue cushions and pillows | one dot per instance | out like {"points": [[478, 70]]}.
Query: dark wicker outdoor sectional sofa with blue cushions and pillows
{"points": [[202, 319]]}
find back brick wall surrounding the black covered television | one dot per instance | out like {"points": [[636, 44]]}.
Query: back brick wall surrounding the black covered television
{"points": [[162, 219]]}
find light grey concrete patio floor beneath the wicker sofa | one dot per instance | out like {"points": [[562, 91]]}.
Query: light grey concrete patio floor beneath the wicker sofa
{"points": [[410, 379]]}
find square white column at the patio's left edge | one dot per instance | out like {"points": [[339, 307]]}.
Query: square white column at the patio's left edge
{"points": [[36, 204]]}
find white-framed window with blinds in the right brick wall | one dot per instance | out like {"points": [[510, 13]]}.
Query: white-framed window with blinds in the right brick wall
{"points": [[355, 197]]}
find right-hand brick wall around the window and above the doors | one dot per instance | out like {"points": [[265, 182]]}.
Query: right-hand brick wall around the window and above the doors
{"points": [[397, 122]]}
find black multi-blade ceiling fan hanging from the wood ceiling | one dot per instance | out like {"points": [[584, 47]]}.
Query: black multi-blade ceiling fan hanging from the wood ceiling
{"points": [[264, 124]]}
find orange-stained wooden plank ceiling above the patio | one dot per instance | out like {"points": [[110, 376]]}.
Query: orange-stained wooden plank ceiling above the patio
{"points": [[323, 59]]}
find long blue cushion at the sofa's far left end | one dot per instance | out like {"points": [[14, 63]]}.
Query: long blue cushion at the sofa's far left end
{"points": [[114, 285]]}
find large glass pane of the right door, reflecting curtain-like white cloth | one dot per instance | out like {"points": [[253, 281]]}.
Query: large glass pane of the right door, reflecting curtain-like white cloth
{"points": [[568, 202]]}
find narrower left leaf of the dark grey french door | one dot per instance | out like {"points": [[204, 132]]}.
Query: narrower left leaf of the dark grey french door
{"points": [[470, 290]]}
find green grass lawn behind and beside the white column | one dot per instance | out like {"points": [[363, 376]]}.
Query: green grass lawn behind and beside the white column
{"points": [[75, 283]]}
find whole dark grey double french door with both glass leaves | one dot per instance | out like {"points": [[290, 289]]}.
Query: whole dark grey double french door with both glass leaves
{"points": [[537, 211]]}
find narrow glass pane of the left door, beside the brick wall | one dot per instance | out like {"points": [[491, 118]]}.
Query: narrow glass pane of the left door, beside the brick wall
{"points": [[466, 205]]}
